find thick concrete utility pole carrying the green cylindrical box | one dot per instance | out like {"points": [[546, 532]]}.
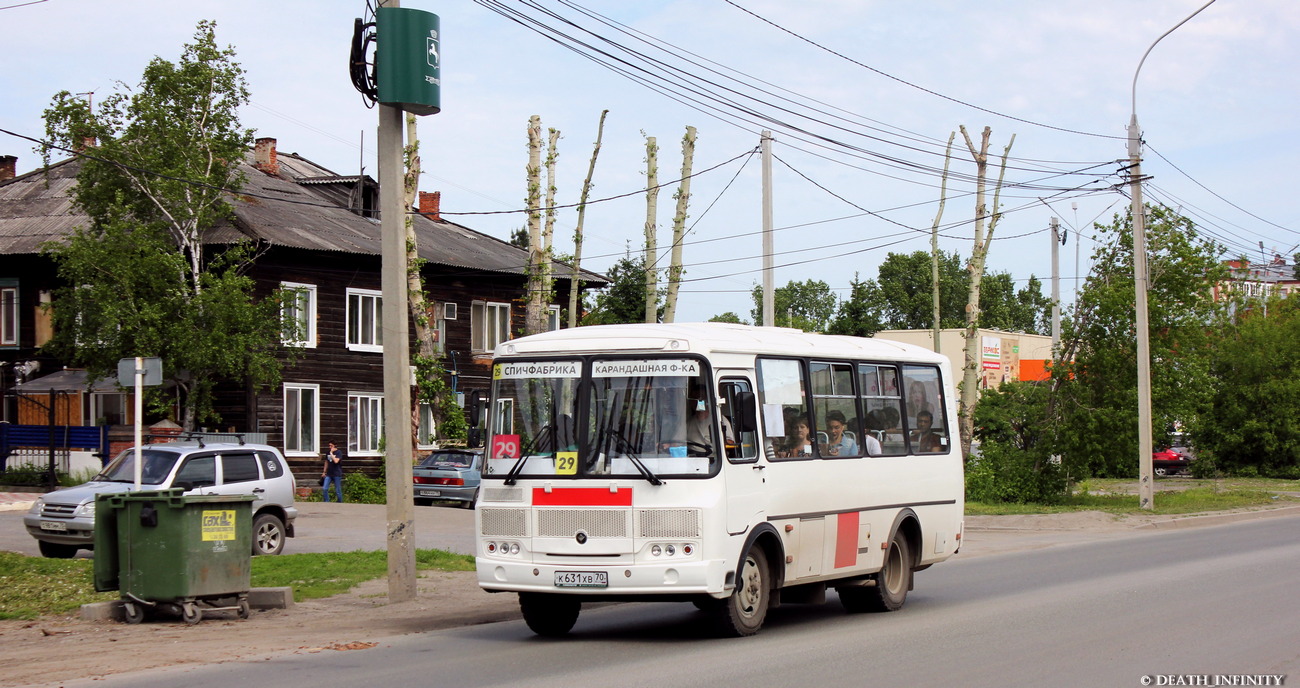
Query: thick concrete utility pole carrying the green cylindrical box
{"points": [[397, 356]]}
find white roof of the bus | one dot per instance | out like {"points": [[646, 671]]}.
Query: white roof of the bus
{"points": [[712, 339]]}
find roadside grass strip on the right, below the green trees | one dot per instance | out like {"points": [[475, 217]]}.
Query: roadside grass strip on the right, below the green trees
{"points": [[1197, 496]]}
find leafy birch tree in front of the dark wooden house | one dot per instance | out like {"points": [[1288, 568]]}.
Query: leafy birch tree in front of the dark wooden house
{"points": [[144, 282]]}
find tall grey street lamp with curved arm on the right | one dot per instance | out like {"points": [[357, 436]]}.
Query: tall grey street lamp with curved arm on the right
{"points": [[1147, 483]]}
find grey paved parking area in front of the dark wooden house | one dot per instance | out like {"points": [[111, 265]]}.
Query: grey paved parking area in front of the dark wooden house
{"points": [[323, 527]]}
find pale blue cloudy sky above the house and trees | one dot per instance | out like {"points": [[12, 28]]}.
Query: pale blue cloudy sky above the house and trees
{"points": [[861, 98]]}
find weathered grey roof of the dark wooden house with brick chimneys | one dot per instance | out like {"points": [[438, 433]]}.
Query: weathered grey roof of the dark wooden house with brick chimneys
{"points": [[301, 206]]}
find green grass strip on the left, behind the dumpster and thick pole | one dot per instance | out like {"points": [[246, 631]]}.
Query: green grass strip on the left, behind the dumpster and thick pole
{"points": [[33, 587]]}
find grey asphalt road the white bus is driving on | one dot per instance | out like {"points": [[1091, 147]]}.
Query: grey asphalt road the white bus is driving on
{"points": [[1216, 602]]}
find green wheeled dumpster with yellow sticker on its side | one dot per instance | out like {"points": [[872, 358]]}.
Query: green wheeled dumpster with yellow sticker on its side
{"points": [[170, 551]]}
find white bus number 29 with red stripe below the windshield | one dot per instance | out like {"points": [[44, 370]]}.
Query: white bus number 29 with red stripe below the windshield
{"points": [[730, 466]]}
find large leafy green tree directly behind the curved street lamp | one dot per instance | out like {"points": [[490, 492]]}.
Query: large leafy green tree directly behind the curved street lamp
{"points": [[1097, 405]]}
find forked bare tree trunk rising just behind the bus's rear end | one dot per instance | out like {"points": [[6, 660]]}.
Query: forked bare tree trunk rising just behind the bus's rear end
{"points": [[976, 269]]}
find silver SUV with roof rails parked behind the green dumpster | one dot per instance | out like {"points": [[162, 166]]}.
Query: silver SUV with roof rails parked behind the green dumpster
{"points": [[64, 521]]}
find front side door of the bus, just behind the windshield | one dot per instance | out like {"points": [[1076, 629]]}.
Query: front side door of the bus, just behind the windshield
{"points": [[744, 470]]}
